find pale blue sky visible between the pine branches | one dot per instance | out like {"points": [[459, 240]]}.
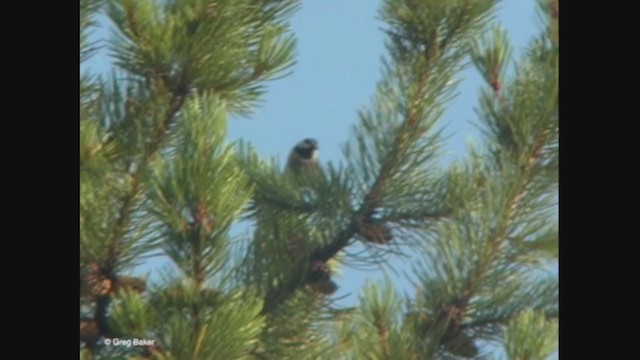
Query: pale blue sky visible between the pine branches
{"points": [[338, 64]]}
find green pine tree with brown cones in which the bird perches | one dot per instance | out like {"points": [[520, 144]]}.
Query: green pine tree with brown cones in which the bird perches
{"points": [[158, 176]]}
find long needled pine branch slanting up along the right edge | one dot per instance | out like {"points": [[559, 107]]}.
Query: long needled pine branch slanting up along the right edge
{"points": [[518, 145]]}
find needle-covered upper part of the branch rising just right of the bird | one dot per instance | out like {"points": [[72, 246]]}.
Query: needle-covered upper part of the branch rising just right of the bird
{"points": [[396, 142]]}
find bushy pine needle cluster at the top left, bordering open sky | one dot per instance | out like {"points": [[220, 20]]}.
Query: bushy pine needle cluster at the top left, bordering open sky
{"points": [[225, 47]]}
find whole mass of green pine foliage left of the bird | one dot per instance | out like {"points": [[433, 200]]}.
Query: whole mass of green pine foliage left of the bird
{"points": [[157, 175]]}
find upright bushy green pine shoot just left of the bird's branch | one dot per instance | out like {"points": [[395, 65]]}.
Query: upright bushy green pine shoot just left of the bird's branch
{"points": [[199, 191]]}
